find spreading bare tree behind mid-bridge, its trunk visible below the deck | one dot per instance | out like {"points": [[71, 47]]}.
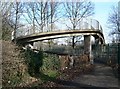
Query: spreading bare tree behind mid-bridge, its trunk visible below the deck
{"points": [[76, 11]]}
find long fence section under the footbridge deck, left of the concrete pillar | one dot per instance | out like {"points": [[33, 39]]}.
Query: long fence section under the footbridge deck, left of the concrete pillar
{"points": [[60, 49]]}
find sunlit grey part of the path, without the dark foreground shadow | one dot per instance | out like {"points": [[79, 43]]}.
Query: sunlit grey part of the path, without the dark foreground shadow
{"points": [[101, 77]]}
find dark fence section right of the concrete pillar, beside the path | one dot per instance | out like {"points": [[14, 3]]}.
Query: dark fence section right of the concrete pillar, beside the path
{"points": [[107, 53]]}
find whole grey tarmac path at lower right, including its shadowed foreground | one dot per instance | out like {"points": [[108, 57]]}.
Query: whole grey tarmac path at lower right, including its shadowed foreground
{"points": [[101, 78]]}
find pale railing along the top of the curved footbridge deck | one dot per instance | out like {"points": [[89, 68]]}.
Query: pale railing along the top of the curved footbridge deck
{"points": [[85, 24]]}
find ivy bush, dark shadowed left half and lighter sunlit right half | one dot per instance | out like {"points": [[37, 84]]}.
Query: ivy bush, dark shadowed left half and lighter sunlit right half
{"points": [[40, 63]]}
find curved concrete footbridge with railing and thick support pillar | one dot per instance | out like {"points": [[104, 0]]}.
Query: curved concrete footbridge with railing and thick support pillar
{"points": [[87, 28]]}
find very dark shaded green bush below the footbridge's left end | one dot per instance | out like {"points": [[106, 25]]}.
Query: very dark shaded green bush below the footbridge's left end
{"points": [[34, 61]]}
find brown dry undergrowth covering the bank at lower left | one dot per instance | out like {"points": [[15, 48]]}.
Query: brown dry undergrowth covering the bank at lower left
{"points": [[14, 68]]}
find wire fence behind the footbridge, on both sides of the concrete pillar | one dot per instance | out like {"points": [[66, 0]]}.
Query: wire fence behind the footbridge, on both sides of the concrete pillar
{"points": [[102, 53]]}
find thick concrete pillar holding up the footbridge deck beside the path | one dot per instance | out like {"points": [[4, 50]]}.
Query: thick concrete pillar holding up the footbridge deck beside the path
{"points": [[88, 47]]}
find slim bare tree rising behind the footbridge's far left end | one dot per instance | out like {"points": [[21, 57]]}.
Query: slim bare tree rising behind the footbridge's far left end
{"points": [[15, 15]]}
